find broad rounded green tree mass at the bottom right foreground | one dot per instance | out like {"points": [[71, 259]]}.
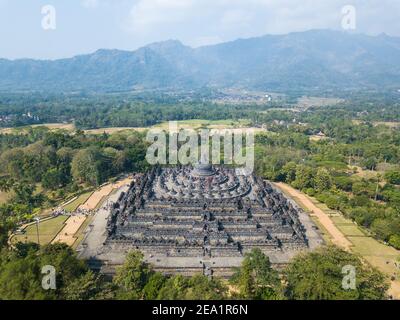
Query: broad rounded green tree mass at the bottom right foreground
{"points": [[319, 275]]}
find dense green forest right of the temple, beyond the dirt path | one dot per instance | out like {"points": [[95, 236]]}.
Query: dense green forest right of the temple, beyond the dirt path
{"points": [[354, 169]]}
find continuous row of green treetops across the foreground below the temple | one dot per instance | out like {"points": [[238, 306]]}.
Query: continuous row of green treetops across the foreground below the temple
{"points": [[20, 278]]}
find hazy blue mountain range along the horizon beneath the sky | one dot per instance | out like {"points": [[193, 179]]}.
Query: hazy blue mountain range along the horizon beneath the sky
{"points": [[317, 59]]}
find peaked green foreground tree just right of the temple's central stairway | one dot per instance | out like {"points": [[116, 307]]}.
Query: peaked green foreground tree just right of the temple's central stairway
{"points": [[256, 279]]}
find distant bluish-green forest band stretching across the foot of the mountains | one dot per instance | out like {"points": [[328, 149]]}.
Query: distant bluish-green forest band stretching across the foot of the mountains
{"points": [[91, 111]]}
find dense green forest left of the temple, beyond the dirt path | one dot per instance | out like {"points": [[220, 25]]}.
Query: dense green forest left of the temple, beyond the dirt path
{"points": [[41, 168]]}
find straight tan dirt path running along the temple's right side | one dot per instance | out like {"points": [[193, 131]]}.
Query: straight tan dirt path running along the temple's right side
{"points": [[337, 237]]}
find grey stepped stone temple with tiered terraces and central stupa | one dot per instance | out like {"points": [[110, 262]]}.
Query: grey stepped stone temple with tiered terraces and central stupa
{"points": [[202, 220]]}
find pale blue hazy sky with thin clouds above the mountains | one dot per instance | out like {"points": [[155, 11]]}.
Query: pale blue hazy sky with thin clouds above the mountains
{"points": [[83, 26]]}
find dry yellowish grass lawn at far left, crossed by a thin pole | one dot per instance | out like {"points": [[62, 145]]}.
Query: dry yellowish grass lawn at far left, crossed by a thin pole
{"points": [[47, 231]]}
